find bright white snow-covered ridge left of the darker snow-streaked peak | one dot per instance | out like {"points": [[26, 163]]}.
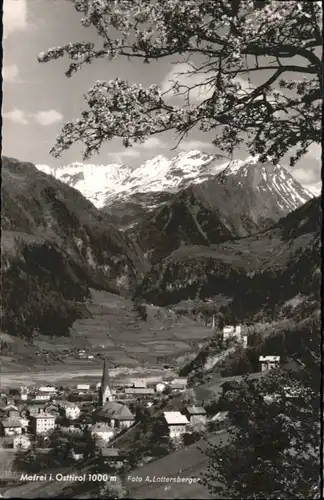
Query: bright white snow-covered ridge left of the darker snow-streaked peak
{"points": [[159, 174]]}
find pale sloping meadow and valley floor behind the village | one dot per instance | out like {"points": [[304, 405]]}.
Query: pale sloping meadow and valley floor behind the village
{"points": [[113, 331]]}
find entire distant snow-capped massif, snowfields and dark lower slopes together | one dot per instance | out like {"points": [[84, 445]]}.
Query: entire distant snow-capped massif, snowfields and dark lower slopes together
{"points": [[190, 199]]}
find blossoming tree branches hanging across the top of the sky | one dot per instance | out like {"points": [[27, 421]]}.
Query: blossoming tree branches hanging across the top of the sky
{"points": [[224, 44]]}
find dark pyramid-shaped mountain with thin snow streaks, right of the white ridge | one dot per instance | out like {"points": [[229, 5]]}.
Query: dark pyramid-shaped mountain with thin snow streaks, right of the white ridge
{"points": [[237, 202]]}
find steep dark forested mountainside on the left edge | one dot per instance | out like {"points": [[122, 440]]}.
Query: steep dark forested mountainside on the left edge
{"points": [[55, 245]]}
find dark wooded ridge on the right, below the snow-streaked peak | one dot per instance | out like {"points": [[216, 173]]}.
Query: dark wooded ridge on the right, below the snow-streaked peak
{"points": [[263, 269]]}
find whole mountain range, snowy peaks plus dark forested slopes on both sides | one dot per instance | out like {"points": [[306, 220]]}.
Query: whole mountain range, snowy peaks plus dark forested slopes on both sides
{"points": [[167, 232]]}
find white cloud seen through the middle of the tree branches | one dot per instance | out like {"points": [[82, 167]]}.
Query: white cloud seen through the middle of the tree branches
{"points": [[180, 74]]}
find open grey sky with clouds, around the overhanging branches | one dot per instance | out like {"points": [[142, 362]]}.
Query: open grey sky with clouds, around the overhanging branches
{"points": [[39, 98]]}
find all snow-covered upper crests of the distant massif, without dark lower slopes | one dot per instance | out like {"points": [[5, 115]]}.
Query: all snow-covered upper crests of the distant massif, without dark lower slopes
{"points": [[104, 184]]}
